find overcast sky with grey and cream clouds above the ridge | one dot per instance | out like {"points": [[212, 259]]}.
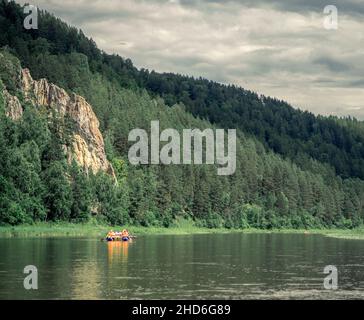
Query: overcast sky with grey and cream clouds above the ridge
{"points": [[276, 48]]}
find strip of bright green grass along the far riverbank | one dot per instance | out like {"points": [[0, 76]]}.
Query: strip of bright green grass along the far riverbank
{"points": [[82, 230]]}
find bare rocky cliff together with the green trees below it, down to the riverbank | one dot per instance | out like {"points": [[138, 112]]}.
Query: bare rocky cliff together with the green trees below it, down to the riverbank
{"points": [[53, 164]]}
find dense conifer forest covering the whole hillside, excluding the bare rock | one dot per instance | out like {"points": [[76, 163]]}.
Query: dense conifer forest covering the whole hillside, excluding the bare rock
{"points": [[294, 169]]}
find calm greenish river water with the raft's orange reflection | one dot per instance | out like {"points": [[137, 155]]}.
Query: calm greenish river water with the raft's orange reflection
{"points": [[226, 266]]}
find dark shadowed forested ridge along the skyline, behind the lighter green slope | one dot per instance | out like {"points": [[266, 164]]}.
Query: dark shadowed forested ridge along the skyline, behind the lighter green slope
{"points": [[279, 127]]}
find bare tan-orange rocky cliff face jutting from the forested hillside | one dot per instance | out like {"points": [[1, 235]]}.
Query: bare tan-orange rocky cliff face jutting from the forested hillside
{"points": [[88, 144]]}
